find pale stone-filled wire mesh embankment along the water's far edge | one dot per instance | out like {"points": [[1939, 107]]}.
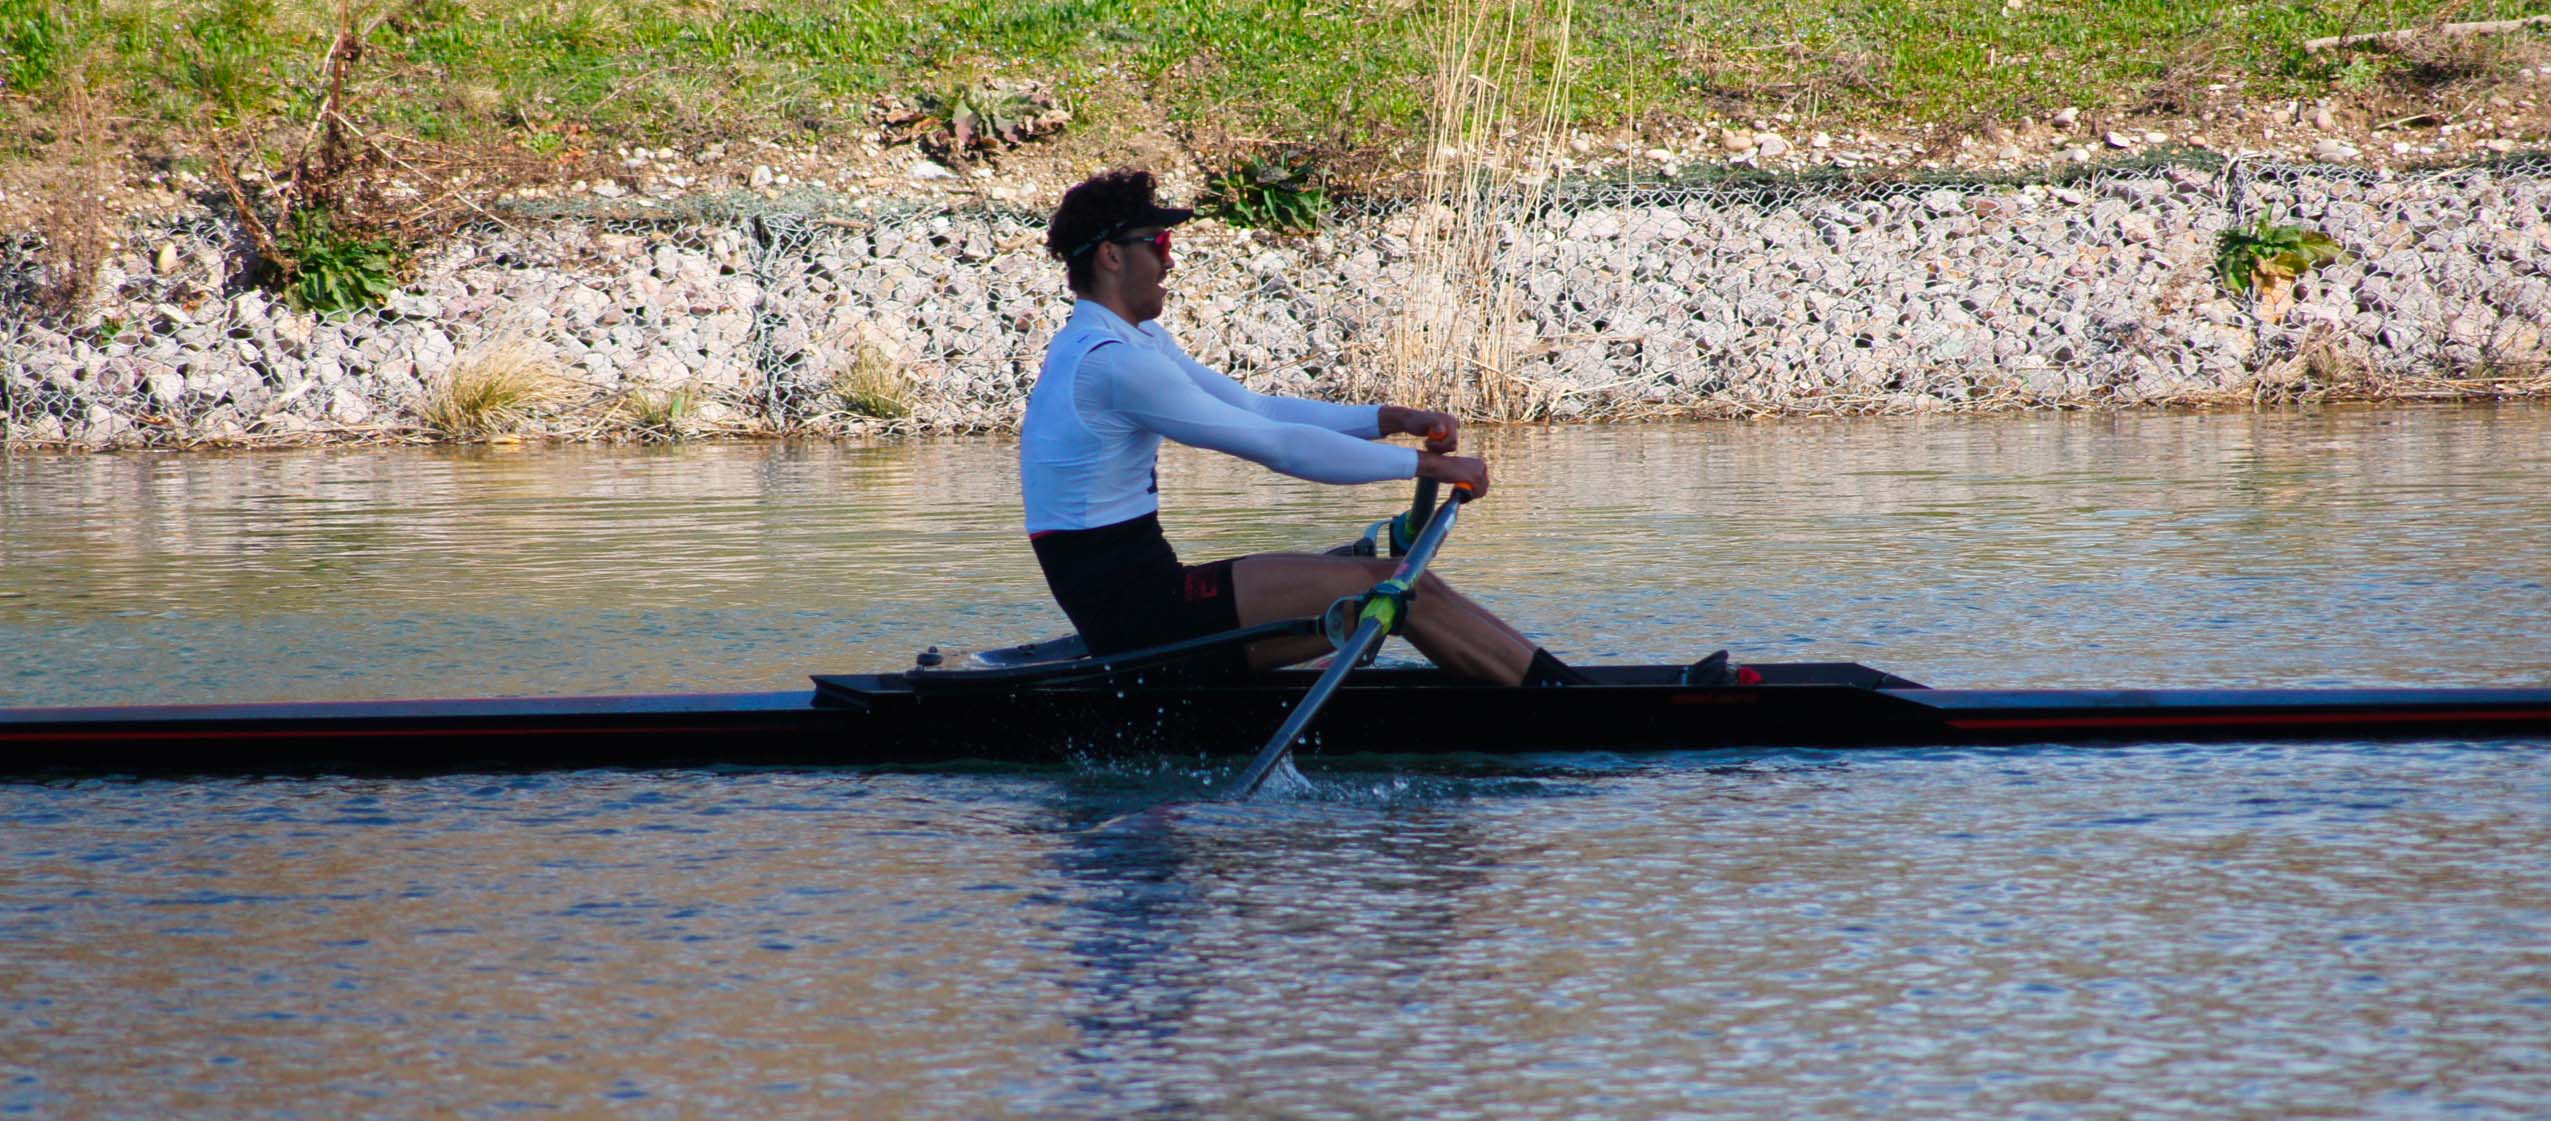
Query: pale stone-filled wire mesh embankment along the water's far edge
{"points": [[1736, 297]]}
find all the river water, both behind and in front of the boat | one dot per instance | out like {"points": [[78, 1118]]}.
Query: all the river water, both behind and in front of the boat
{"points": [[2162, 931]]}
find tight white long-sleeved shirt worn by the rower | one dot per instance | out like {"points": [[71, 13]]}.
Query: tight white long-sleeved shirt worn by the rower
{"points": [[1114, 389]]}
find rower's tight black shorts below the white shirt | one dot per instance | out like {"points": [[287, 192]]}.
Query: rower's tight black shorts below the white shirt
{"points": [[1124, 589]]}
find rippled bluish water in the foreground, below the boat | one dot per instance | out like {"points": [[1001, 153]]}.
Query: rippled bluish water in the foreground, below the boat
{"points": [[2154, 931]]}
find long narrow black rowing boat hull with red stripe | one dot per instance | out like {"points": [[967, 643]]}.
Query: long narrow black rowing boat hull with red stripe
{"points": [[940, 719]]}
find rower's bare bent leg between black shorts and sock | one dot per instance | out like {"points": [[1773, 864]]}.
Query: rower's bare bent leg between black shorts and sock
{"points": [[1448, 627]]}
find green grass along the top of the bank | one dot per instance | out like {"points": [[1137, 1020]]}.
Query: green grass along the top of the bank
{"points": [[1330, 75]]}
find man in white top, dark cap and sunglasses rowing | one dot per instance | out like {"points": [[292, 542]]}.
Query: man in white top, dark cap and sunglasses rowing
{"points": [[1116, 384]]}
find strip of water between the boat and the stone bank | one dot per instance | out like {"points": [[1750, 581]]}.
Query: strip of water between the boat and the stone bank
{"points": [[2348, 545]]}
